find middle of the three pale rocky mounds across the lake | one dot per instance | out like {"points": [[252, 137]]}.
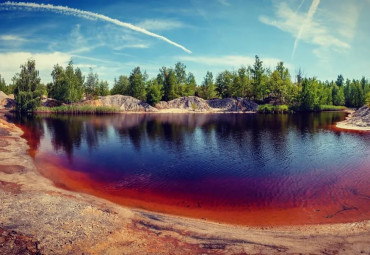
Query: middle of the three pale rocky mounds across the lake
{"points": [[191, 103]]}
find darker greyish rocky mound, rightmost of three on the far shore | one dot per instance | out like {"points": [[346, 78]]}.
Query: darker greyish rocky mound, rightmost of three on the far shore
{"points": [[233, 105]]}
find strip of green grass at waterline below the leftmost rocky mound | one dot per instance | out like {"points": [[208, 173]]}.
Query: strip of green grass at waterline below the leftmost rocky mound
{"points": [[78, 109]]}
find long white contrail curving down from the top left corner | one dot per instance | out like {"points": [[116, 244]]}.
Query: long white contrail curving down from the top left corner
{"points": [[87, 15]]}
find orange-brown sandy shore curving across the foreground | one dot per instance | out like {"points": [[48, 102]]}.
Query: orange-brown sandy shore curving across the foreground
{"points": [[37, 217]]}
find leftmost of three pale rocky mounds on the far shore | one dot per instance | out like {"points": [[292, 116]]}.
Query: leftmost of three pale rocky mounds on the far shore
{"points": [[124, 103]]}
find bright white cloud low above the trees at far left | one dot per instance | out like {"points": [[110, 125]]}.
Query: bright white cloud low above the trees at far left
{"points": [[10, 63]]}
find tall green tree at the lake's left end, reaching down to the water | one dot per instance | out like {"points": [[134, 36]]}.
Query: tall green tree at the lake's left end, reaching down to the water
{"points": [[26, 82]]}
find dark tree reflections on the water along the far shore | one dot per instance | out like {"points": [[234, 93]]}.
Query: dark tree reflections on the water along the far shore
{"points": [[248, 134]]}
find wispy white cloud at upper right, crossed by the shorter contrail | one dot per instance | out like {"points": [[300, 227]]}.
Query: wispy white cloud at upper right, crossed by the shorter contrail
{"points": [[315, 31]]}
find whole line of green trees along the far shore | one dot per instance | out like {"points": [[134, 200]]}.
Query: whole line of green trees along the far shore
{"points": [[255, 82]]}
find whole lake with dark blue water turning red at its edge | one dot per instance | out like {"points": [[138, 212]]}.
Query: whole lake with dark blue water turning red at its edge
{"points": [[251, 169]]}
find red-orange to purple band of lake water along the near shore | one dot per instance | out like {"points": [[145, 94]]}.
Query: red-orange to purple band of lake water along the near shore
{"points": [[334, 197]]}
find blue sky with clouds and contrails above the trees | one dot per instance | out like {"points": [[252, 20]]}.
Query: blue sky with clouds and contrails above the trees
{"points": [[330, 37]]}
